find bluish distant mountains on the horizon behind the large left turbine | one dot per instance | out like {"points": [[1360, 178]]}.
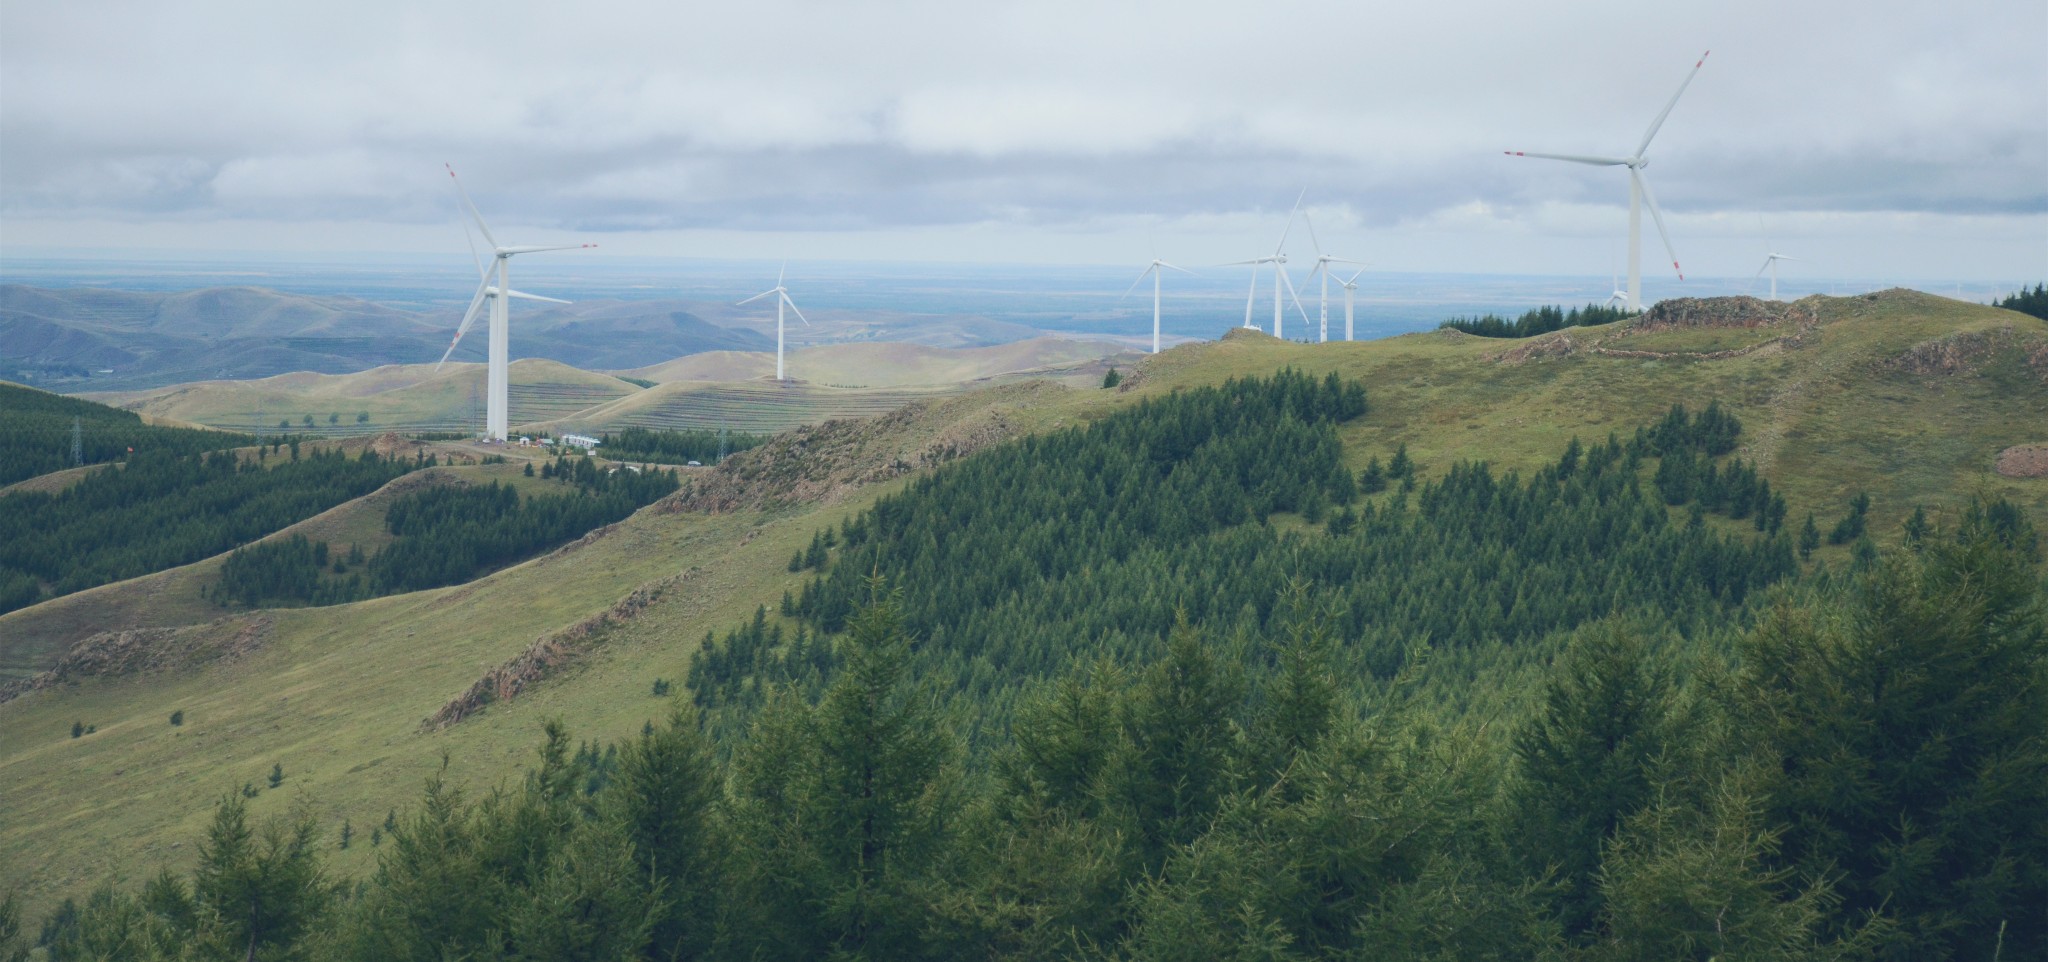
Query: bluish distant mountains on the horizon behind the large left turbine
{"points": [[126, 341]]}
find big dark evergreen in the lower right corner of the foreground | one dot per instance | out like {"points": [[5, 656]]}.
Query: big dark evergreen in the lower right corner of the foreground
{"points": [[1914, 742]]}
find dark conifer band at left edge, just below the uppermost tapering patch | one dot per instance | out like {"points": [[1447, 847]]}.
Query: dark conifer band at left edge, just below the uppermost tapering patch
{"points": [[163, 511]]}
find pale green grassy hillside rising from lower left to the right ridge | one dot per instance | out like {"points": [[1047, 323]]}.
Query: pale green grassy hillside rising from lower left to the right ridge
{"points": [[1904, 396]]}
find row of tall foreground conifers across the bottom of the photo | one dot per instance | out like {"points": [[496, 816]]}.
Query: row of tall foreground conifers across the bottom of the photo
{"points": [[1861, 777]]}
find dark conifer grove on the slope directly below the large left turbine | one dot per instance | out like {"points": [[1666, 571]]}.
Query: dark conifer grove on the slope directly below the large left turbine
{"points": [[443, 535]]}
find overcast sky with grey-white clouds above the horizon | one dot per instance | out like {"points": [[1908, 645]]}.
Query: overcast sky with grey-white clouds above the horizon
{"points": [[1875, 138]]}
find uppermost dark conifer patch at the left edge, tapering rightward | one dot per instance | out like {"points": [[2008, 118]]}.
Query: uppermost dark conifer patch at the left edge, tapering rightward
{"points": [[40, 433]]}
